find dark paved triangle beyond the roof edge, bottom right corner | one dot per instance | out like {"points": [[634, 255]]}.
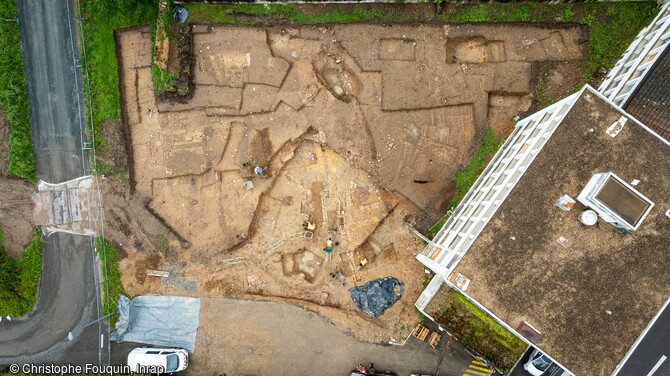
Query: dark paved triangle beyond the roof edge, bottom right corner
{"points": [[651, 351]]}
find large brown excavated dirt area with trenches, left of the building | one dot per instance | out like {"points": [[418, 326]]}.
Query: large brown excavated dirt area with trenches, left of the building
{"points": [[295, 136]]}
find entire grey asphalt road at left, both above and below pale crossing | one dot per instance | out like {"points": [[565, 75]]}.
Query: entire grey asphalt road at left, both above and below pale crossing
{"points": [[67, 298]]}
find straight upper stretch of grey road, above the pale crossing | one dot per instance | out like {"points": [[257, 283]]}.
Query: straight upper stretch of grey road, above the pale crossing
{"points": [[49, 46]]}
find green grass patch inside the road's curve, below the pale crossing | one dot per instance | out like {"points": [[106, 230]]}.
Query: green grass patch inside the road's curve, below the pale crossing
{"points": [[19, 279]]}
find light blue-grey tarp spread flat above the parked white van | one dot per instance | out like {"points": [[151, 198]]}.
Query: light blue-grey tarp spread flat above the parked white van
{"points": [[169, 321]]}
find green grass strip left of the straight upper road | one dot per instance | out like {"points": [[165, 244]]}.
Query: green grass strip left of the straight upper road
{"points": [[13, 96]]}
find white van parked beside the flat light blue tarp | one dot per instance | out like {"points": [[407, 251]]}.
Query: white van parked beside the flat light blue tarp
{"points": [[152, 360]]}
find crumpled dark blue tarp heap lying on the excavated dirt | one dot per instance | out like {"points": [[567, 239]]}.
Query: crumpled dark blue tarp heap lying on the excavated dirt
{"points": [[376, 296]]}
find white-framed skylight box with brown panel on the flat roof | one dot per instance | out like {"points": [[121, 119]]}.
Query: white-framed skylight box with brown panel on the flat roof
{"points": [[615, 201]]}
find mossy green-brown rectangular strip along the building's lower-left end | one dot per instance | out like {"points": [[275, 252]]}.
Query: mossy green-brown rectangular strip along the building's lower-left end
{"points": [[479, 331]]}
